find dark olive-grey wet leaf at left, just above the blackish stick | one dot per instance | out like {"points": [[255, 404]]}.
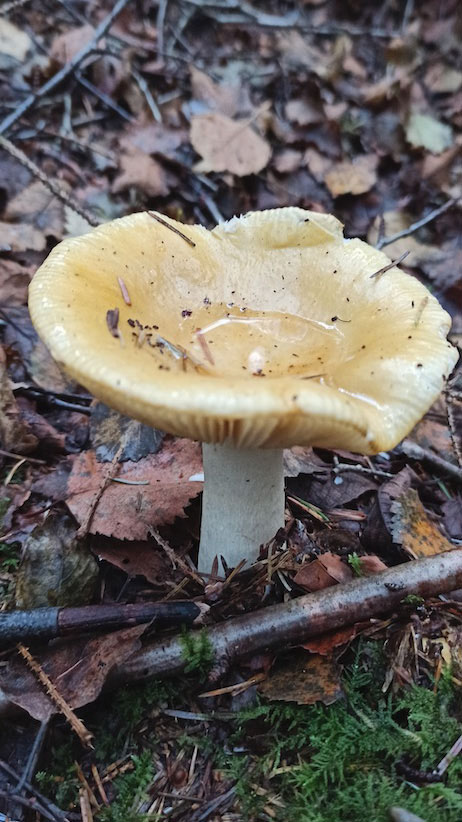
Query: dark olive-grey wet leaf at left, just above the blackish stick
{"points": [[56, 568]]}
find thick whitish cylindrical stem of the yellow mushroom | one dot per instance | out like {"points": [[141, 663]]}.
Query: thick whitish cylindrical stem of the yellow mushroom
{"points": [[243, 503]]}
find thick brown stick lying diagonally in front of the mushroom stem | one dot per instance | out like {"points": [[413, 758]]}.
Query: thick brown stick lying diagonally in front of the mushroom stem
{"points": [[280, 626]]}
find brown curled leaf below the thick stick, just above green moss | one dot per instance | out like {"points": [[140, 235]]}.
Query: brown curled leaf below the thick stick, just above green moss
{"points": [[305, 679]]}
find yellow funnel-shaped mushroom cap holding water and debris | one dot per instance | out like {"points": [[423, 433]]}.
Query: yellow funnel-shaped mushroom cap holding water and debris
{"points": [[298, 343]]}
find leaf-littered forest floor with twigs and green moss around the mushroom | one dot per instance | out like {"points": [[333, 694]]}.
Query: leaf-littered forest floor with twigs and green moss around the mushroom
{"points": [[201, 111]]}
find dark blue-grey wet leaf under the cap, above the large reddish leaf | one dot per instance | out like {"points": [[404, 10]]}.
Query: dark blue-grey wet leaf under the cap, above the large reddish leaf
{"points": [[108, 427]]}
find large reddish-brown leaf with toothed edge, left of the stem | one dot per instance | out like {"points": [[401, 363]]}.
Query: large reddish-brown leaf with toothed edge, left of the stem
{"points": [[129, 511]]}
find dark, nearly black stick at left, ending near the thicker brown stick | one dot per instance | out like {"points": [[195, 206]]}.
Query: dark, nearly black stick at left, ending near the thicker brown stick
{"points": [[47, 623]]}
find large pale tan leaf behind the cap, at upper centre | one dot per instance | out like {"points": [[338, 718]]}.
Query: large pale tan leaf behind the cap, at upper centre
{"points": [[228, 145]]}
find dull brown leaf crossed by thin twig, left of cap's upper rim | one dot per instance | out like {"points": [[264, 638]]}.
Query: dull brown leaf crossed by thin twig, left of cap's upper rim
{"points": [[39, 207]]}
